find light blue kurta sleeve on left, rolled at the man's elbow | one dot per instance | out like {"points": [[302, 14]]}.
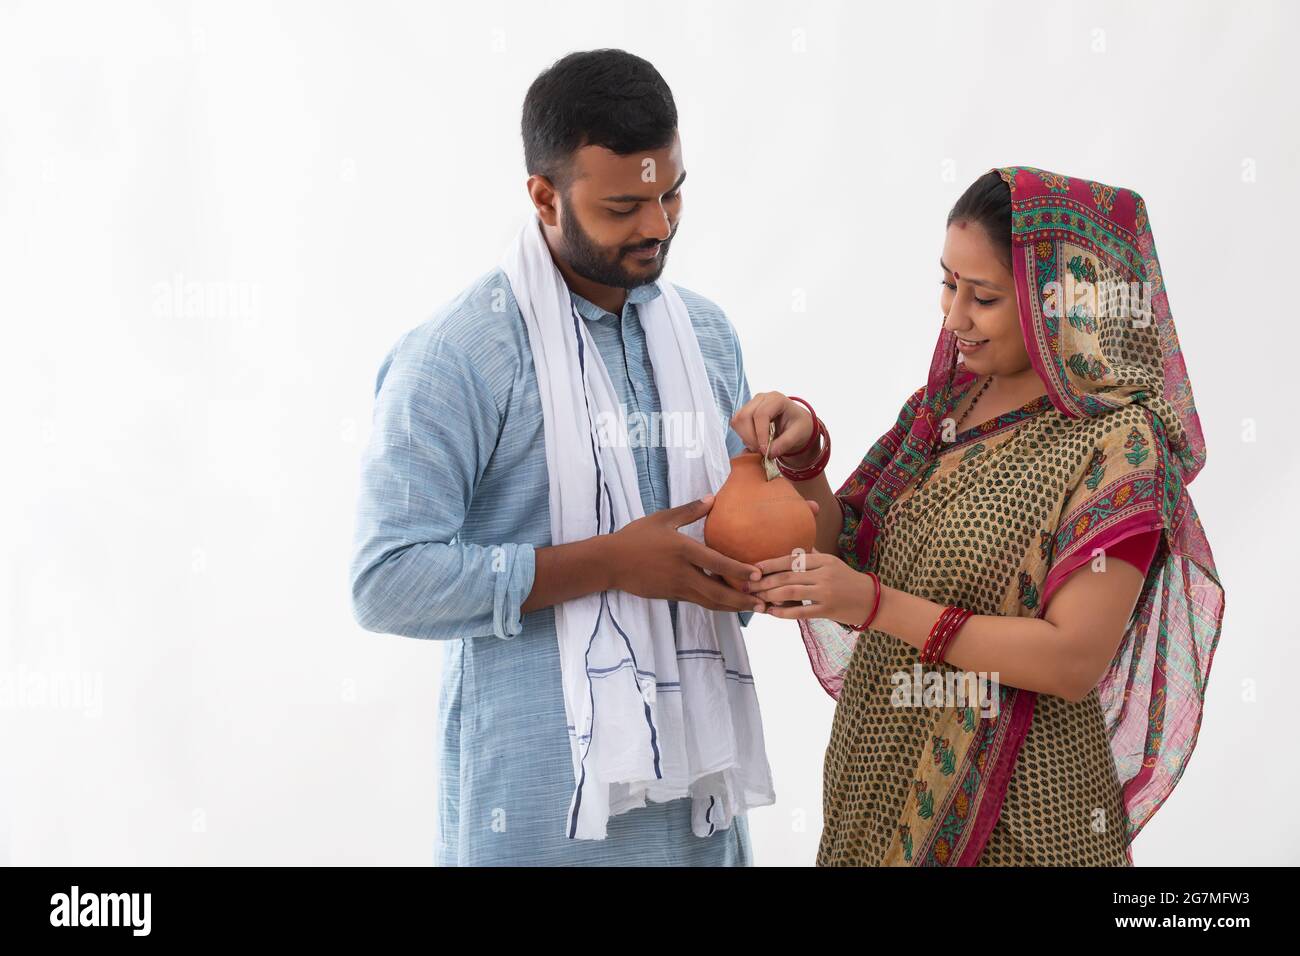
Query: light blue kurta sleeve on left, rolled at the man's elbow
{"points": [[435, 427]]}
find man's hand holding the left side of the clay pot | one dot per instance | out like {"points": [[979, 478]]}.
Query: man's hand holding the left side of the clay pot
{"points": [[653, 560]]}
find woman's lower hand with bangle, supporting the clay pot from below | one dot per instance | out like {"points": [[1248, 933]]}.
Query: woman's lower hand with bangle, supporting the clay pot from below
{"points": [[837, 591]]}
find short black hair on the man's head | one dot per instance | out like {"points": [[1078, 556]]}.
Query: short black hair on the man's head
{"points": [[596, 98]]}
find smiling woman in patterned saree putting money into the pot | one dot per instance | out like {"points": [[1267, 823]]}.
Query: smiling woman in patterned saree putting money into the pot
{"points": [[1026, 520]]}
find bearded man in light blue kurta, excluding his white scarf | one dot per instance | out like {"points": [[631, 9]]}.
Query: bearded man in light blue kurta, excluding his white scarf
{"points": [[454, 535]]}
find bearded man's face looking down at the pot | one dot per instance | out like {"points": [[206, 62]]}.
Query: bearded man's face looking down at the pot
{"points": [[619, 214]]}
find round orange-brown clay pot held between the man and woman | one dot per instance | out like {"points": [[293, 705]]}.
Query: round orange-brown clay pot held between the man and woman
{"points": [[755, 520]]}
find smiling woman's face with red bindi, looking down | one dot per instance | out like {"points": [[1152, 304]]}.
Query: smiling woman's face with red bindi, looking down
{"points": [[980, 302]]}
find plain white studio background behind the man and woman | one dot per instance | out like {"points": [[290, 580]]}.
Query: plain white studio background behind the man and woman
{"points": [[181, 470]]}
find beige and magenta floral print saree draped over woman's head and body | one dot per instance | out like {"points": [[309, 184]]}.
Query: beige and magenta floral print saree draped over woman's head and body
{"points": [[930, 767]]}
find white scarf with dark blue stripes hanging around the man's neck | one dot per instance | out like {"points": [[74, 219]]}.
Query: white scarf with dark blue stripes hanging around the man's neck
{"points": [[653, 716]]}
